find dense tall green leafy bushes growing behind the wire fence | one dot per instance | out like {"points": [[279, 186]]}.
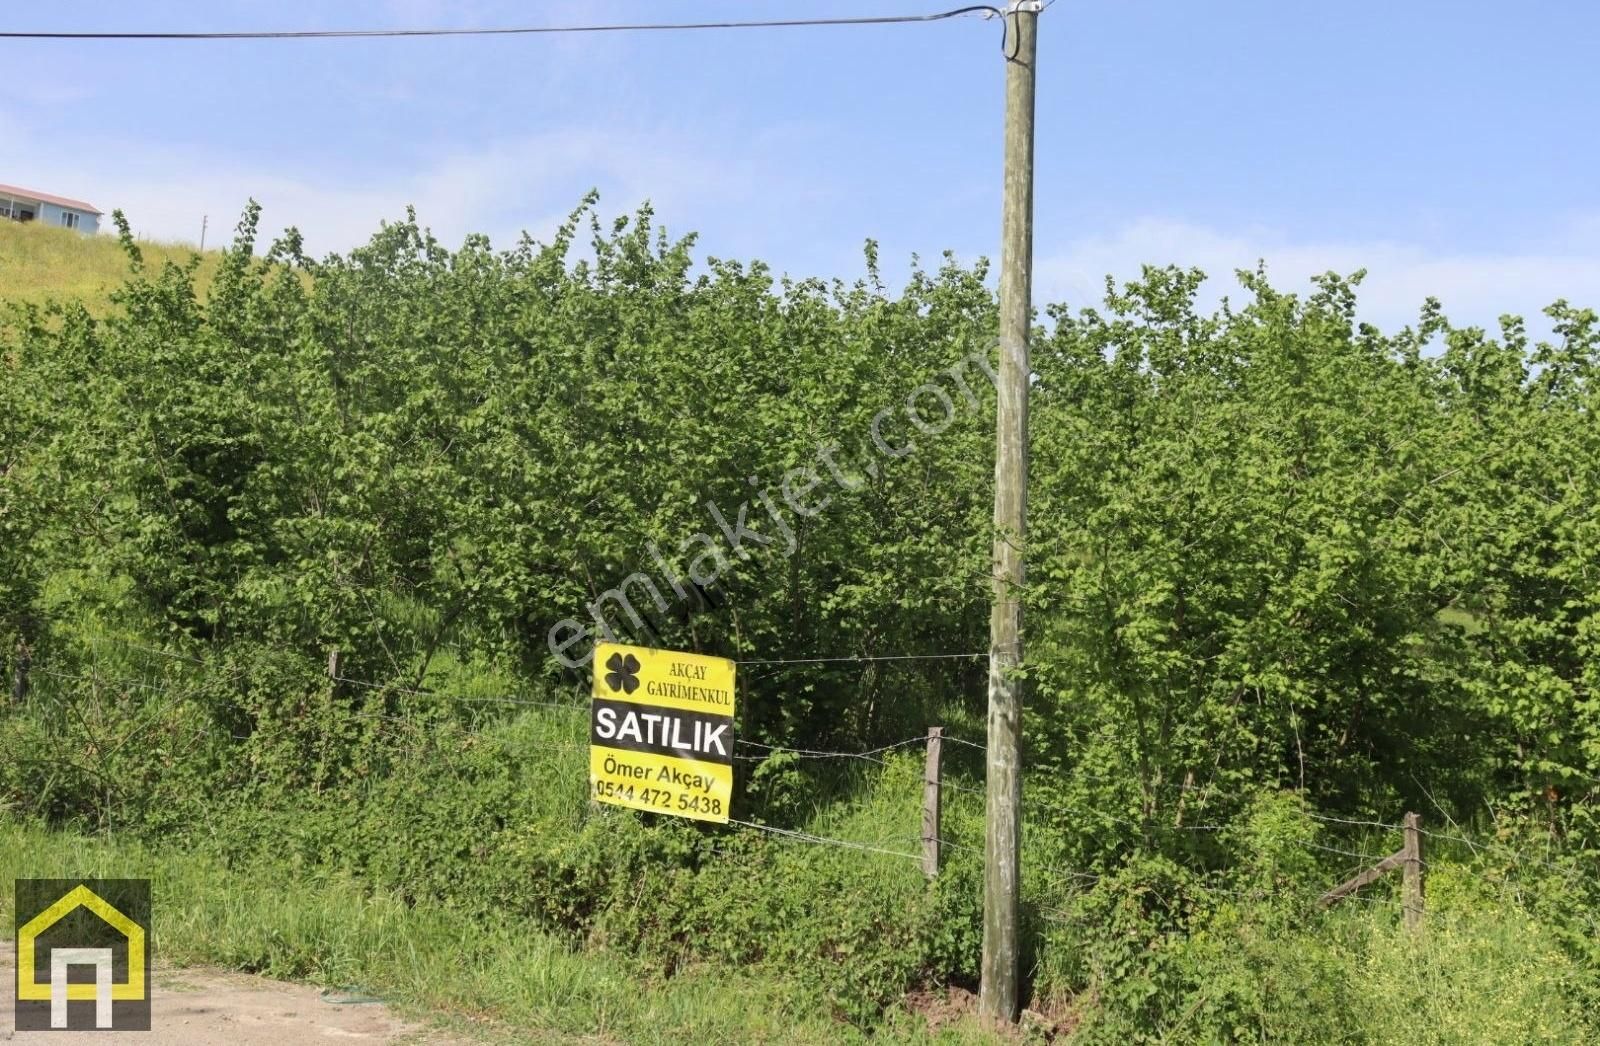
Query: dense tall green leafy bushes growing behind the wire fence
{"points": [[1274, 551]]}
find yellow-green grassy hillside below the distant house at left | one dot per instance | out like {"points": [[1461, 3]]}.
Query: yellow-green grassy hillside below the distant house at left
{"points": [[39, 263]]}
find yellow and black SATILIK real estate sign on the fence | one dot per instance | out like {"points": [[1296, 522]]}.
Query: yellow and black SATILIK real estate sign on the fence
{"points": [[662, 732]]}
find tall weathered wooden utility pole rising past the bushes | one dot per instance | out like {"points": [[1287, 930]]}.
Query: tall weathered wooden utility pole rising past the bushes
{"points": [[1004, 837]]}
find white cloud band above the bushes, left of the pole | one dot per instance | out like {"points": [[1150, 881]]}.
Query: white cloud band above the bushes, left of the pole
{"points": [[502, 190]]}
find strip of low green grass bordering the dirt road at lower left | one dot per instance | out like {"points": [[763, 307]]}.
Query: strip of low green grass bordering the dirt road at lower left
{"points": [[425, 959]]}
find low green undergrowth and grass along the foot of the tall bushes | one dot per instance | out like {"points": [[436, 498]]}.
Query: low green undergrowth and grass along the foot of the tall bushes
{"points": [[458, 869]]}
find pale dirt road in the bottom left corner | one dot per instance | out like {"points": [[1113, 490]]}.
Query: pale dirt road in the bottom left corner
{"points": [[218, 1008]]}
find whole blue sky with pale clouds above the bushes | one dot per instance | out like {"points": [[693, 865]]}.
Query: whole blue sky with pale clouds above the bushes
{"points": [[1450, 148]]}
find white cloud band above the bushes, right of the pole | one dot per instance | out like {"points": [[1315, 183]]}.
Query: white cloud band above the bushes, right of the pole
{"points": [[1476, 287]]}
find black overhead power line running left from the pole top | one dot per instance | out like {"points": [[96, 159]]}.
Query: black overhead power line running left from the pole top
{"points": [[510, 31]]}
